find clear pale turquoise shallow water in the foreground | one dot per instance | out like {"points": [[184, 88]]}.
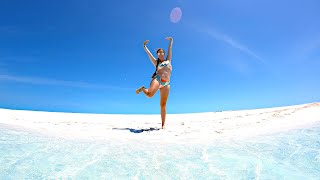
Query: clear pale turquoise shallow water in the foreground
{"points": [[289, 155]]}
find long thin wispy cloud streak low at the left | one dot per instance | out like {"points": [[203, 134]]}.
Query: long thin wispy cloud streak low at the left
{"points": [[54, 82]]}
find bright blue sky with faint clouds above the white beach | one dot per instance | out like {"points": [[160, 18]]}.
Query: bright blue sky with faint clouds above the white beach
{"points": [[87, 56]]}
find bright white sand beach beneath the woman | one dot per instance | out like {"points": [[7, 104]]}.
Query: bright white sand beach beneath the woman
{"points": [[202, 127]]}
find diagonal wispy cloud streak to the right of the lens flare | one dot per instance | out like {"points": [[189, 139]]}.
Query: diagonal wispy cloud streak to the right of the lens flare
{"points": [[227, 39]]}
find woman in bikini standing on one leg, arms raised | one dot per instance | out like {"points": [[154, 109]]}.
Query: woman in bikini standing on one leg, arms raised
{"points": [[160, 78]]}
